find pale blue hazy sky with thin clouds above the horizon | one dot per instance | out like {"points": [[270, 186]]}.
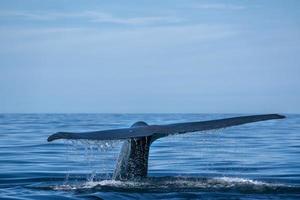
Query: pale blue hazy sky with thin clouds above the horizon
{"points": [[150, 56]]}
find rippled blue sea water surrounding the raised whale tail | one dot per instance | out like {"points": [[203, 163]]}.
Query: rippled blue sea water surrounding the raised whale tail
{"points": [[253, 161]]}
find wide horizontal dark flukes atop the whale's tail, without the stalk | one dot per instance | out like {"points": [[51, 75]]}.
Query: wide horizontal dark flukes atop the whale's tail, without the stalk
{"points": [[158, 131]]}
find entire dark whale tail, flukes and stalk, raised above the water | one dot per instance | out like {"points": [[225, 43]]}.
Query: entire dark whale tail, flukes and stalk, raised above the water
{"points": [[133, 158]]}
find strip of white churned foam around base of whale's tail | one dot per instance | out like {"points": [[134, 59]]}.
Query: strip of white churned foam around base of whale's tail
{"points": [[177, 183]]}
